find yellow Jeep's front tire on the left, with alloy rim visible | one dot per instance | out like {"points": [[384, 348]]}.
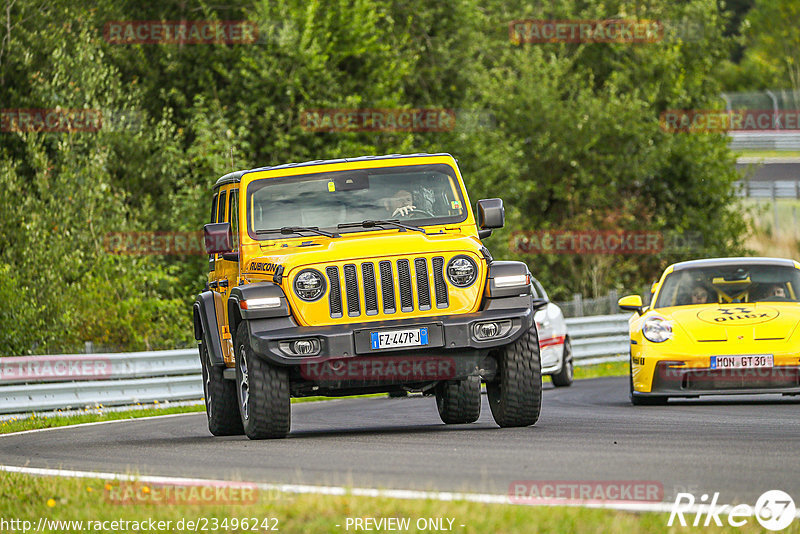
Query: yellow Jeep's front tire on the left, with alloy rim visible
{"points": [[264, 404]]}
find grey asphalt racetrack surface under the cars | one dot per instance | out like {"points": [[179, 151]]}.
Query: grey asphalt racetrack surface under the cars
{"points": [[738, 446]]}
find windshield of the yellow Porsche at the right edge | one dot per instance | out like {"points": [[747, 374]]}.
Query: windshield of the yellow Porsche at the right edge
{"points": [[726, 284]]}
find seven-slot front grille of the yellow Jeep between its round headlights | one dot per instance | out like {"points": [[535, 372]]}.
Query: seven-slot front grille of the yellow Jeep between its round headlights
{"points": [[409, 292]]}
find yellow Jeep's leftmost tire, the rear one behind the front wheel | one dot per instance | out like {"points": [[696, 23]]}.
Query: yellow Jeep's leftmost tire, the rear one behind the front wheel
{"points": [[222, 406]]}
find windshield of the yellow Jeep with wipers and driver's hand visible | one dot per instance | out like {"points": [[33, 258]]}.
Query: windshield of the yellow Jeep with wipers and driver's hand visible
{"points": [[415, 195]]}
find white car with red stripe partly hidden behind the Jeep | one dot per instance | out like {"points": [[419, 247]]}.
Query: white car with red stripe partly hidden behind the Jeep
{"points": [[554, 344]]}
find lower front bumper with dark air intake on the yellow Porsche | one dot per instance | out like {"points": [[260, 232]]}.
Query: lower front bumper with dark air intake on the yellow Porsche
{"points": [[675, 381]]}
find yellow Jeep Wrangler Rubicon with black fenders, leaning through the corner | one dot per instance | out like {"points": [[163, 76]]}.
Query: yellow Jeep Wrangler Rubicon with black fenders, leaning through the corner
{"points": [[354, 276]]}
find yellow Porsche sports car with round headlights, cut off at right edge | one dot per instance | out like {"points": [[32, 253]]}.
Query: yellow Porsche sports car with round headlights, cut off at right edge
{"points": [[717, 326]]}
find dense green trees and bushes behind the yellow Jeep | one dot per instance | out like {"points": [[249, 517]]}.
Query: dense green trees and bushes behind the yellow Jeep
{"points": [[567, 133]]}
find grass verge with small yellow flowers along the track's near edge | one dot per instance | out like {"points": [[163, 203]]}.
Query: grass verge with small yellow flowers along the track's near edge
{"points": [[29, 498]]}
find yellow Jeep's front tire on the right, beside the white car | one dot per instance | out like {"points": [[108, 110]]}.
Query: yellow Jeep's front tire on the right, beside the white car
{"points": [[515, 395]]}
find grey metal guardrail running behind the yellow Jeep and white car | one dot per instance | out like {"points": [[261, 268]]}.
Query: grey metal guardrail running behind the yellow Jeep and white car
{"points": [[37, 383]]}
